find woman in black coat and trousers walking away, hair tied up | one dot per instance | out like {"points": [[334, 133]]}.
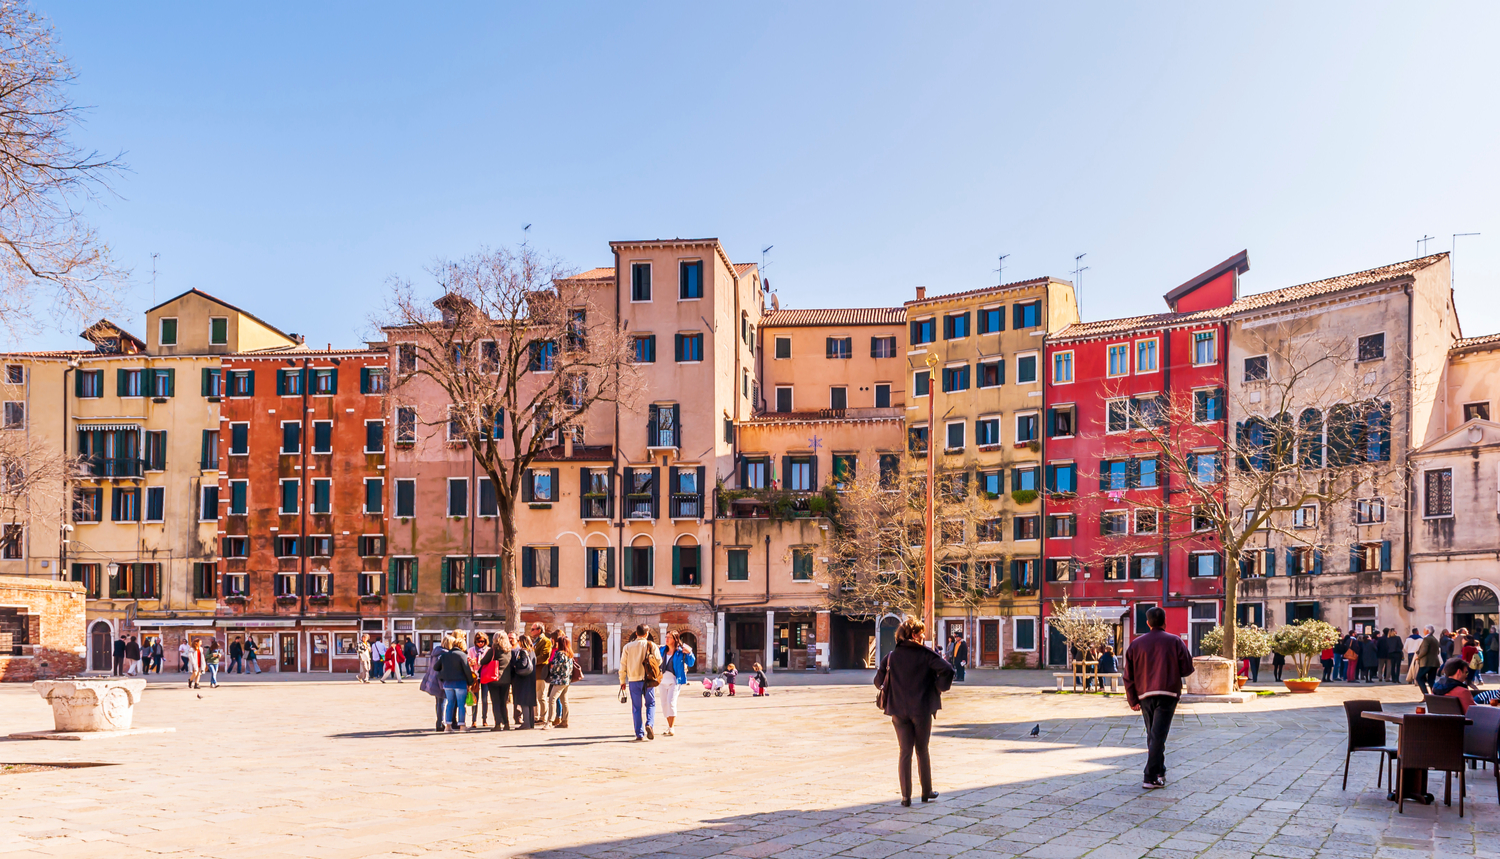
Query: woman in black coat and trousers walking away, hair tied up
{"points": [[913, 680]]}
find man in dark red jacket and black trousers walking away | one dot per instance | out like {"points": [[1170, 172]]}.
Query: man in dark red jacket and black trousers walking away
{"points": [[1156, 665]]}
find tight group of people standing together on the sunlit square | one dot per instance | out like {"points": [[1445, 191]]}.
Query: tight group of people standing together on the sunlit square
{"points": [[527, 678]]}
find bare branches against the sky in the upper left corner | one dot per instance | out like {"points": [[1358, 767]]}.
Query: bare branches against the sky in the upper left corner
{"points": [[49, 253]]}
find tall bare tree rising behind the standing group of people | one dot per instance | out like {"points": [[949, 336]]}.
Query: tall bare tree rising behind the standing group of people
{"points": [[524, 358]]}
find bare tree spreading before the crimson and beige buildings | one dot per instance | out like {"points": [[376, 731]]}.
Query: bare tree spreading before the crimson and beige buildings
{"points": [[1312, 428]]}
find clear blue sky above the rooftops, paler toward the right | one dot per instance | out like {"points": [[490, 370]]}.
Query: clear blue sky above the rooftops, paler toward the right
{"points": [[290, 158]]}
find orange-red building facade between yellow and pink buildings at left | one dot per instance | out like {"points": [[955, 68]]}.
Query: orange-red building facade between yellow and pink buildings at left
{"points": [[304, 504]]}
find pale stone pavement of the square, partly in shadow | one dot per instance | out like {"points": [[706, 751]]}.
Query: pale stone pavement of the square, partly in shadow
{"points": [[352, 771]]}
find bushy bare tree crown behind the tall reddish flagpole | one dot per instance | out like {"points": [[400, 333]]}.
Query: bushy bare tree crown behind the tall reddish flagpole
{"points": [[877, 545]]}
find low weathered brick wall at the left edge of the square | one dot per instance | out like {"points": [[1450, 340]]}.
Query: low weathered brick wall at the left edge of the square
{"points": [[55, 629]]}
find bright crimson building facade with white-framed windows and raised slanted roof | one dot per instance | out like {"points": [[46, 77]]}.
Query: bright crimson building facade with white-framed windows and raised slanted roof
{"points": [[1114, 388]]}
